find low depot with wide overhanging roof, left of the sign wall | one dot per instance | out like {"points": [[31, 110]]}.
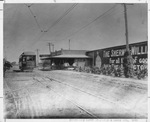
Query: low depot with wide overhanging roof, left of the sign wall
{"points": [[77, 58]]}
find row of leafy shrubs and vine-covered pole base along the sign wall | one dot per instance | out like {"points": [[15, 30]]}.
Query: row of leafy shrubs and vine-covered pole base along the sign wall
{"points": [[111, 70]]}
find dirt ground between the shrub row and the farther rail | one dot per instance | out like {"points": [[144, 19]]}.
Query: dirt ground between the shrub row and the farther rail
{"points": [[129, 93]]}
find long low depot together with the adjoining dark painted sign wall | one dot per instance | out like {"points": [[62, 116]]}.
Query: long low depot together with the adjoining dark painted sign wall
{"points": [[100, 57]]}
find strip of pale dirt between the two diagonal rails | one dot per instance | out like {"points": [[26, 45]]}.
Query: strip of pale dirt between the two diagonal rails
{"points": [[76, 94]]}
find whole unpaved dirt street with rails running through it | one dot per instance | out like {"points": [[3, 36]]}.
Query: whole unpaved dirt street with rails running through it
{"points": [[70, 94]]}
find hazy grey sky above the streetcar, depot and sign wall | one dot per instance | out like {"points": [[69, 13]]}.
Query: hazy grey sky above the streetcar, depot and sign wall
{"points": [[88, 26]]}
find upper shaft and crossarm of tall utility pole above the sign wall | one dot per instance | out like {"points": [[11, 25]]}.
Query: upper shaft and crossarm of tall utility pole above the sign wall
{"points": [[126, 25]]}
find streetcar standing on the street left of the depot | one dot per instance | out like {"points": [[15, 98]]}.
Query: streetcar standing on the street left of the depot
{"points": [[27, 61]]}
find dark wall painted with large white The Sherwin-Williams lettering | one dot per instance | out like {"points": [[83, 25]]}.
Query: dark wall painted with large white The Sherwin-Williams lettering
{"points": [[114, 55]]}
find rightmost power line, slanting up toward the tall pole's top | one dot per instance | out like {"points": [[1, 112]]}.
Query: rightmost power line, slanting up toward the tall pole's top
{"points": [[102, 15]]}
